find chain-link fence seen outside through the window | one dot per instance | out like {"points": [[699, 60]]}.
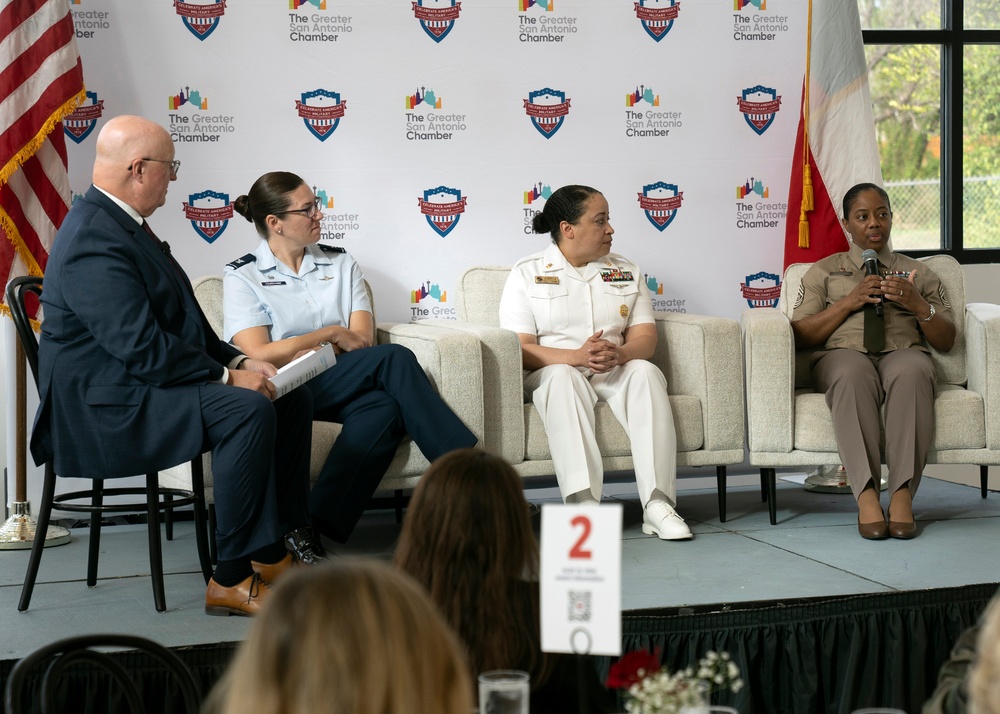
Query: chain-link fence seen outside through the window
{"points": [[916, 213]]}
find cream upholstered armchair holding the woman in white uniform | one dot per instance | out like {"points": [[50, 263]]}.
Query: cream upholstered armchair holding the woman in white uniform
{"points": [[700, 357]]}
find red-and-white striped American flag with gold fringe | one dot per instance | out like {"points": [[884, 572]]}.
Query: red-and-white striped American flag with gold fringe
{"points": [[41, 81]]}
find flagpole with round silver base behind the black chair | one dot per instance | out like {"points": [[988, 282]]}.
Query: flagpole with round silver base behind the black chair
{"points": [[19, 531]]}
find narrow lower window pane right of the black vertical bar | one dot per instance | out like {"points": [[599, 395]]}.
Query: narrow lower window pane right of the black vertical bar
{"points": [[981, 147]]}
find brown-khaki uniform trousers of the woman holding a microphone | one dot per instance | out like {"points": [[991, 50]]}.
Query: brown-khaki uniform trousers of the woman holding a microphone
{"points": [[856, 385]]}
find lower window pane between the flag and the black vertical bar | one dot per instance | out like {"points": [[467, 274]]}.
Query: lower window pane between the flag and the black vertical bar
{"points": [[906, 100]]}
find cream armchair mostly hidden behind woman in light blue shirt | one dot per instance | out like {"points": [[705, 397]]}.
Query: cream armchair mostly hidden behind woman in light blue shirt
{"points": [[451, 360]]}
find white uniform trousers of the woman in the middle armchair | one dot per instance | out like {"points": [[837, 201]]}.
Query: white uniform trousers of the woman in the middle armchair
{"points": [[637, 394]]}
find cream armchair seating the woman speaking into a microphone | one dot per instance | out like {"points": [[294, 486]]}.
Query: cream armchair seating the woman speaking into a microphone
{"points": [[790, 424]]}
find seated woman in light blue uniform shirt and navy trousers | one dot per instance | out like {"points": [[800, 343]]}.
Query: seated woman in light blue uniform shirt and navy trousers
{"points": [[292, 294]]}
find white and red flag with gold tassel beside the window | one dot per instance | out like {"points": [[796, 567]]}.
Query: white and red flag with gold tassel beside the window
{"points": [[836, 135]]}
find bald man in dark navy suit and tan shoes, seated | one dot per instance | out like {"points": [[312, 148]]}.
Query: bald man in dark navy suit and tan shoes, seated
{"points": [[133, 379]]}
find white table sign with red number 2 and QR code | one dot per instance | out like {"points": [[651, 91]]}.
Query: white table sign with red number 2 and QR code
{"points": [[581, 572]]}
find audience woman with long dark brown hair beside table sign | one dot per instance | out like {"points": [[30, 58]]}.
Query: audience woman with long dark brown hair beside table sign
{"points": [[467, 538]]}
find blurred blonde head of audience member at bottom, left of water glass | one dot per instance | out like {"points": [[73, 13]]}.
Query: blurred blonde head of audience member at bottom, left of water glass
{"points": [[350, 637]]}
